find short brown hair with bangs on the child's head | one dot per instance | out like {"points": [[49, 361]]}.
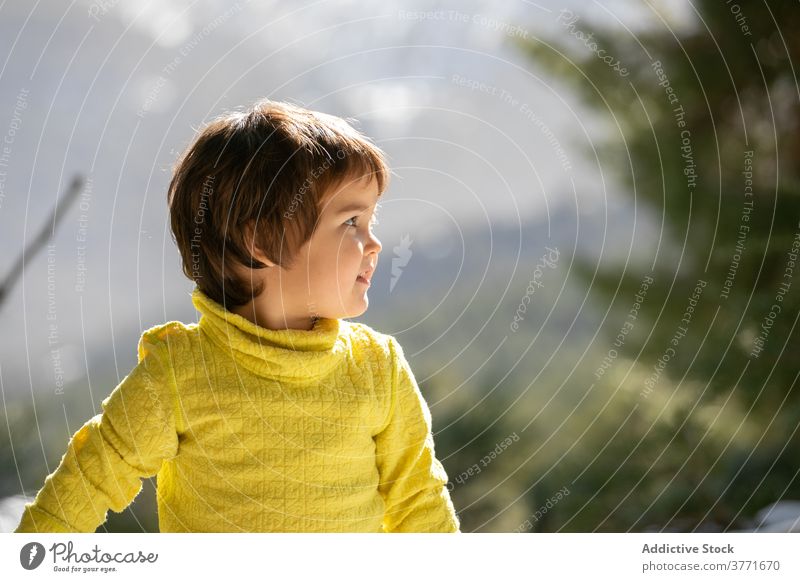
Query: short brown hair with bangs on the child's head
{"points": [[267, 168]]}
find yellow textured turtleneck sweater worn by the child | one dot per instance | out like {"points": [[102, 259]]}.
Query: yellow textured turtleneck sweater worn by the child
{"points": [[257, 430]]}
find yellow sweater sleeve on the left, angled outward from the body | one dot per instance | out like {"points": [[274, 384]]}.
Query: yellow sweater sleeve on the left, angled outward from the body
{"points": [[107, 457]]}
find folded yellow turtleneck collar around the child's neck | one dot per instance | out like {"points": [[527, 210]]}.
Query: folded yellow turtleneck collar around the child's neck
{"points": [[281, 354]]}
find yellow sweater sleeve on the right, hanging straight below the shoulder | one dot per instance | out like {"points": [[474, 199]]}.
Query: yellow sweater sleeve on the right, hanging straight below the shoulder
{"points": [[412, 480]]}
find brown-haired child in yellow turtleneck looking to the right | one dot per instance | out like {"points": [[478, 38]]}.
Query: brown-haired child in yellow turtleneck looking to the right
{"points": [[272, 413]]}
